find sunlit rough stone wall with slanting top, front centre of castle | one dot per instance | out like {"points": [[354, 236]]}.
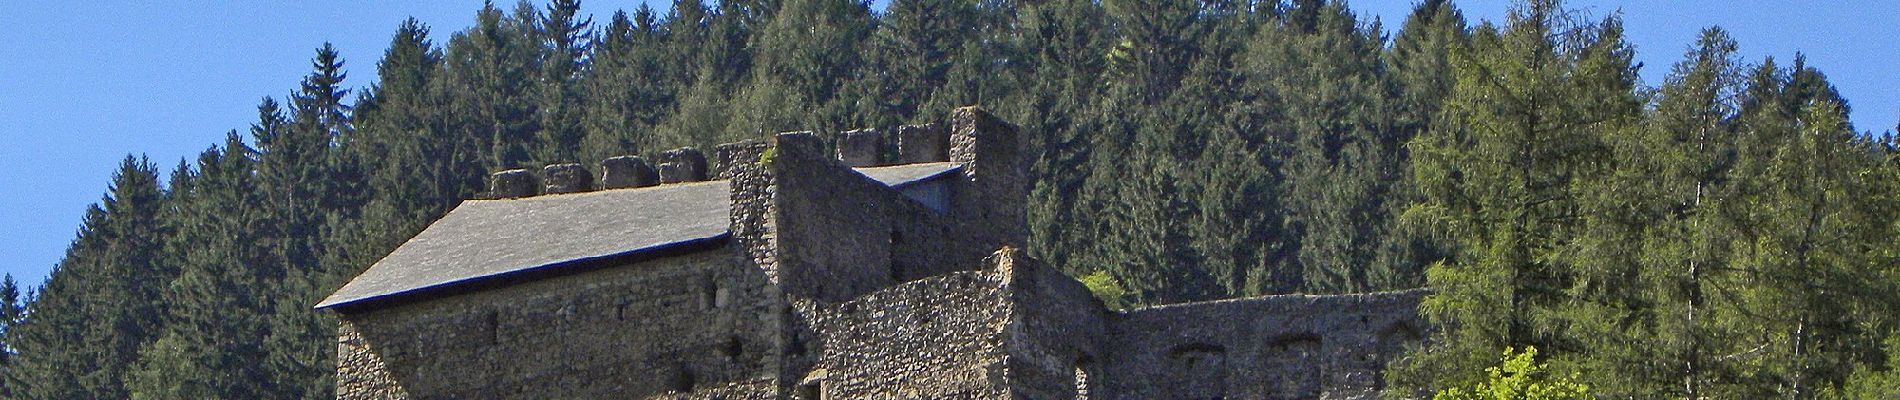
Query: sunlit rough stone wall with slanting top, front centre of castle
{"points": [[930, 338]]}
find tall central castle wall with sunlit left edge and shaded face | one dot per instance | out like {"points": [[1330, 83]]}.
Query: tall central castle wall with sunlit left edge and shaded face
{"points": [[824, 234]]}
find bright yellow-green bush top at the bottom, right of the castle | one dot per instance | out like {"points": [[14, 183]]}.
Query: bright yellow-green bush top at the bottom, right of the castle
{"points": [[1519, 378]]}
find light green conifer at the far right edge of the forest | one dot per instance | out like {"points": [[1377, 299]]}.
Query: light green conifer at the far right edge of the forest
{"points": [[1815, 302]]}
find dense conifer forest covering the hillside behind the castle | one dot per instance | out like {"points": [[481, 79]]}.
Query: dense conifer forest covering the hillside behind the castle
{"points": [[1724, 236]]}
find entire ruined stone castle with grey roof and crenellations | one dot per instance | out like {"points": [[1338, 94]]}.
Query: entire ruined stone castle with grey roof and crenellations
{"points": [[884, 270]]}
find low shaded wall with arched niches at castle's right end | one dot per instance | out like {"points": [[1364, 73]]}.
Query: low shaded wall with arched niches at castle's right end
{"points": [[1263, 348]]}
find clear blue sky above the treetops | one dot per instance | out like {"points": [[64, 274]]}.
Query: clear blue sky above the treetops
{"points": [[83, 84]]}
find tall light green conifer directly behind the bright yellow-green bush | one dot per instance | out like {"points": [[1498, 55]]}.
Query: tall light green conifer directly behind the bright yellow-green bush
{"points": [[1500, 179]]}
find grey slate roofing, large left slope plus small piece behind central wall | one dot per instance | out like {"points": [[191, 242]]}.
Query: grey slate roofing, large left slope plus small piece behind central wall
{"points": [[485, 240]]}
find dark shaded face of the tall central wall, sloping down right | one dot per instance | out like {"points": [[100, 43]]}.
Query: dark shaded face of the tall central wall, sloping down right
{"points": [[841, 234]]}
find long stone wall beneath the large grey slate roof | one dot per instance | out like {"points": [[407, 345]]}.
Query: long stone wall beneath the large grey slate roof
{"points": [[672, 327]]}
